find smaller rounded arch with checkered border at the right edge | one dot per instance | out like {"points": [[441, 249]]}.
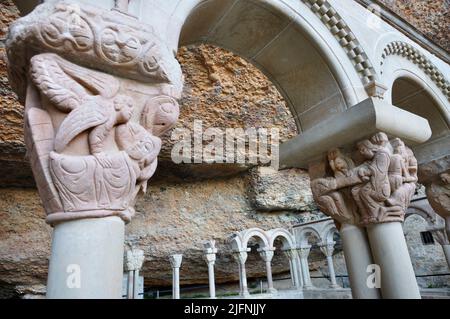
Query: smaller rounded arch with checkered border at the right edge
{"points": [[415, 84]]}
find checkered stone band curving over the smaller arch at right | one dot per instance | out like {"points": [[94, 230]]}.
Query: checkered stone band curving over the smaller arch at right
{"points": [[412, 54]]}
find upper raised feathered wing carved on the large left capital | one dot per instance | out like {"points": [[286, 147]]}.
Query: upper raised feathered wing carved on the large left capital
{"points": [[66, 84]]}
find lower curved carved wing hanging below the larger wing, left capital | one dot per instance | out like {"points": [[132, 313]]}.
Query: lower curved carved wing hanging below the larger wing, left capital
{"points": [[83, 118]]}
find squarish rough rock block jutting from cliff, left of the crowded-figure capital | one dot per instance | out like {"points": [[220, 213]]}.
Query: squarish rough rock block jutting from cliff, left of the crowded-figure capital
{"points": [[284, 190]]}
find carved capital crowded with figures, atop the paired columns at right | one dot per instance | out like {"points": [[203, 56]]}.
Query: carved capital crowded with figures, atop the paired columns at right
{"points": [[375, 185]]}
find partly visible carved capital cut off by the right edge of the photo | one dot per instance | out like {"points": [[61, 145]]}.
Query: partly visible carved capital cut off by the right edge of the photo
{"points": [[435, 175]]}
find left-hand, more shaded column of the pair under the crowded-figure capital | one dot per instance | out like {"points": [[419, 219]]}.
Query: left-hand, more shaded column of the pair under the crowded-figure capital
{"points": [[358, 257]]}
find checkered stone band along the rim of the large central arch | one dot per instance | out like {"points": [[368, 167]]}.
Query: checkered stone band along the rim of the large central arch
{"points": [[346, 38]]}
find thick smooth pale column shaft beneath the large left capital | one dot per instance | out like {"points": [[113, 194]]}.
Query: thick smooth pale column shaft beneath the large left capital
{"points": [[87, 259]]}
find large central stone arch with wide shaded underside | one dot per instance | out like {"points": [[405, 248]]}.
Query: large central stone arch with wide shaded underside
{"points": [[288, 42]]}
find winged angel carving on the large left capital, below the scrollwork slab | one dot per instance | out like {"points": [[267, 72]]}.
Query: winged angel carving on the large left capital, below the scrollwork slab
{"points": [[94, 159]]}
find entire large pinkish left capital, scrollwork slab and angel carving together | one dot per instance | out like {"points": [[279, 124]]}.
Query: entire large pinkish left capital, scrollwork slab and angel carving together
{"points": [[92, 137]]}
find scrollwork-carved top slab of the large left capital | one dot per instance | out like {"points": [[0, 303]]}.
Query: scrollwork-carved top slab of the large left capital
{"points": [[107, 40]]}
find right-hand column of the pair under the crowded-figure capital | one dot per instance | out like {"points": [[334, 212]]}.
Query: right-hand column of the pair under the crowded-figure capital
{"points": [[390, 252]]}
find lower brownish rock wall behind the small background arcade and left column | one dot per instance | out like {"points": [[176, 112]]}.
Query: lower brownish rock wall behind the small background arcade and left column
{"points": [[171, 218]]}
